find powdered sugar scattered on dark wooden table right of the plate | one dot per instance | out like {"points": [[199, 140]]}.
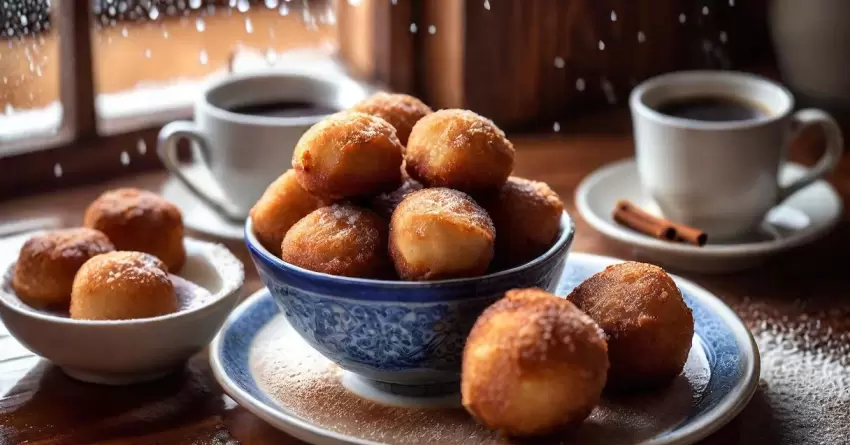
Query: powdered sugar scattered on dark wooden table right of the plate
{"points": [[804, 392]]}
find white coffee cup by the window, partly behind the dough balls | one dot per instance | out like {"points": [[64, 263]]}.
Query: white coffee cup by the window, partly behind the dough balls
{"points": [[244, 153]]}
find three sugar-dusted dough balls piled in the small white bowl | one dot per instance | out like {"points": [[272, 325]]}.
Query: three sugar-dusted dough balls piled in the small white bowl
{"points": [[115, 268]]}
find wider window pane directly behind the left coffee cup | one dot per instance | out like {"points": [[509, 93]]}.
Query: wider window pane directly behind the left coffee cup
{"points": [[151, 56]]}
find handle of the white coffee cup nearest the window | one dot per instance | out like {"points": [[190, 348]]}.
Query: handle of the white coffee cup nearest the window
{"points": [[166, 149]]}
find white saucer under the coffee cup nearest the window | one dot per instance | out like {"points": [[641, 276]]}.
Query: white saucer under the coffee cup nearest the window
{"points": [[197, 215]]}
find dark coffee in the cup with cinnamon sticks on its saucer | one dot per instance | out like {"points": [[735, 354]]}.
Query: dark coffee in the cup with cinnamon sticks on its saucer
{"points": [[712, 109]]}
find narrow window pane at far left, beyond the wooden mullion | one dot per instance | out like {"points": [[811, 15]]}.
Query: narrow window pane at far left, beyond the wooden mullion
{"points": [[29, 75]]}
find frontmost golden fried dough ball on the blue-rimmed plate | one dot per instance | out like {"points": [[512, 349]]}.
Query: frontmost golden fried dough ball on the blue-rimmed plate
{"points": [[533, 365]]}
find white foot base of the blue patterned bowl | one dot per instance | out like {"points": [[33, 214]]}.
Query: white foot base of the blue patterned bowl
{"points": [[440, 395]]}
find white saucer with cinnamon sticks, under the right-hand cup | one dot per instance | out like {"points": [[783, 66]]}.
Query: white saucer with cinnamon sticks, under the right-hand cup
{"points": [[804, 217]]}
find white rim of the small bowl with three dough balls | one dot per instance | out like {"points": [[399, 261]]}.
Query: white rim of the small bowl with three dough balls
{"points": [[229, 268]]}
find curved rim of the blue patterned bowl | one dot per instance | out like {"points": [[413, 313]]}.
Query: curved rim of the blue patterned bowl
{"points": [[564, 239]]}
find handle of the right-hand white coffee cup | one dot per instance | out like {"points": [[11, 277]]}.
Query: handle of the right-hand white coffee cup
{"points": [[830, 158]]}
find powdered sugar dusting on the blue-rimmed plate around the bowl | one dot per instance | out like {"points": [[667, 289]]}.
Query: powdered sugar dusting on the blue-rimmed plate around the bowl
{"points": [[307, 385]]}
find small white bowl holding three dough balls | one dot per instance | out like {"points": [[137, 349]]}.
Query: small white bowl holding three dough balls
{"points": [[120, 352]]}
